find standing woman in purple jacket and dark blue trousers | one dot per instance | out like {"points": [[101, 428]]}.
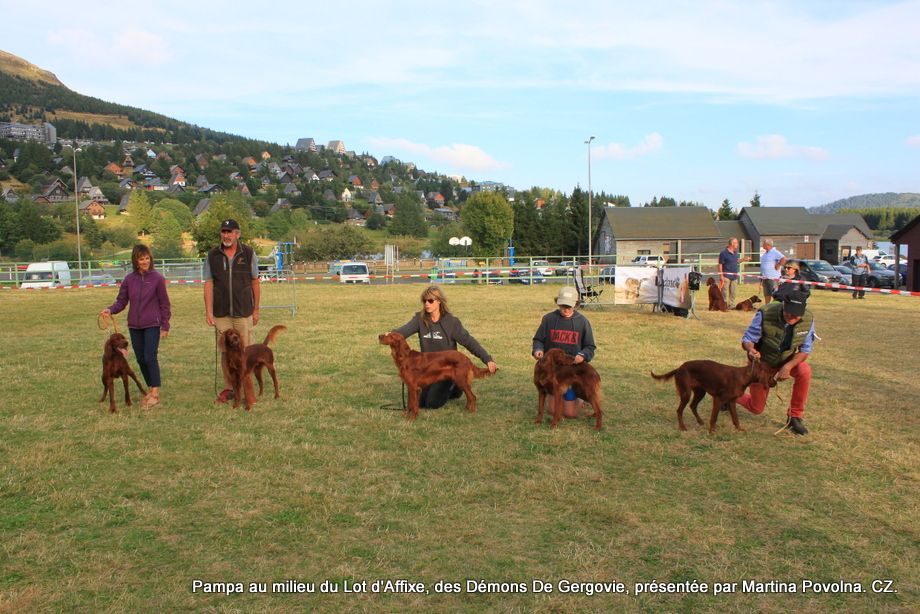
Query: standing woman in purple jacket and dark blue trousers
{"points": [[148, 317]]}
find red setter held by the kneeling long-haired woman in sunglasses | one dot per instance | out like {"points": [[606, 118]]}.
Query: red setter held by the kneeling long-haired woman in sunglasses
{"points": [[420, 369]]}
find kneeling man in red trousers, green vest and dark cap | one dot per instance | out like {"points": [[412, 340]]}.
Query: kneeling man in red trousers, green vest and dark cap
{"points": [[782, 335]]}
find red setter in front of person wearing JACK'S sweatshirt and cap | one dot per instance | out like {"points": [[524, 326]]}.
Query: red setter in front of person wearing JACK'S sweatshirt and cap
{"points": [[556, 372]]}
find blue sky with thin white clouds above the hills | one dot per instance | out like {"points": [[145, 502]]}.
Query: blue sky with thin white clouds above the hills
{"points": [[804, 102]]}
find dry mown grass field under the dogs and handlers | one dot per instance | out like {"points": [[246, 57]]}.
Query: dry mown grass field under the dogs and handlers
{"points": [[125, 512]]}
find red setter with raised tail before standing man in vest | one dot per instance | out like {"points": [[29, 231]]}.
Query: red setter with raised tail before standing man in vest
{"points": [[240, 363]]}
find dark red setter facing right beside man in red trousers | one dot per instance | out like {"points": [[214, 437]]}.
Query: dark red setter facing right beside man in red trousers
{"points": [[723, 382]]}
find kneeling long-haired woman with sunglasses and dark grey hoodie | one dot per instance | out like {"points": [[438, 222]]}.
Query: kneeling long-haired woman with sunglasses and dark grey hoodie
{"points": [[438, 330]]}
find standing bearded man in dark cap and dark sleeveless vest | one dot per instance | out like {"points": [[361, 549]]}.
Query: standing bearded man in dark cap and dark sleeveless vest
{"points": [[231, 288]]}
